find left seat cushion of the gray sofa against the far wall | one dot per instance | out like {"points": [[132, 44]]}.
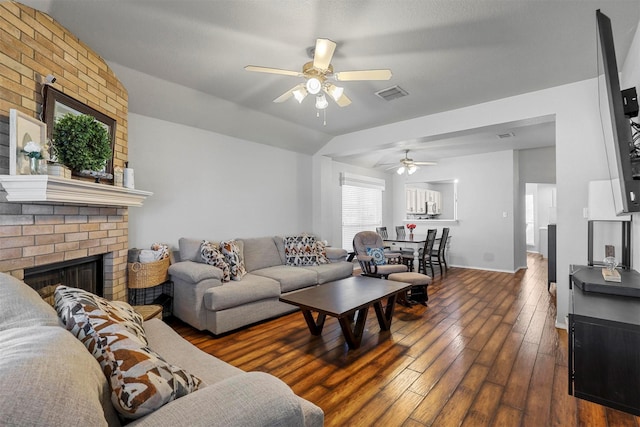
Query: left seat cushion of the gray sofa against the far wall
{"points": [[252, 288]]}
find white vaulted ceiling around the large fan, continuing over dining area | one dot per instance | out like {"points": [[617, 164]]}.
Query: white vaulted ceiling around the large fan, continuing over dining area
{"points": [[446, 54]]}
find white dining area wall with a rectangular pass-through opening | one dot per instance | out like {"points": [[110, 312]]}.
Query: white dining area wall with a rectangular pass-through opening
{"points": [[482, 237]]}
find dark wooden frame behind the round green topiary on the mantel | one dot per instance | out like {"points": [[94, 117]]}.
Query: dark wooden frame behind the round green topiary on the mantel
{"points": [[56, 104]]}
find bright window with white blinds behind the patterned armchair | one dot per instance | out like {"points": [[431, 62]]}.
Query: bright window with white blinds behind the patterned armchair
{"points": [[361, 206]]}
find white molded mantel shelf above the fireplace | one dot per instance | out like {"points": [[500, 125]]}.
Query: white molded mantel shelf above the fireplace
{"points": [[55, 189]]}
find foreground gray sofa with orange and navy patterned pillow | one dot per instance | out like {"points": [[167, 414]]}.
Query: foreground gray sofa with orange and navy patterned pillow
{"points": [[48, 377]]}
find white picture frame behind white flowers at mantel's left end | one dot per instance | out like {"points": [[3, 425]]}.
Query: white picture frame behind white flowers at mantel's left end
{"points": [[23, 129]]}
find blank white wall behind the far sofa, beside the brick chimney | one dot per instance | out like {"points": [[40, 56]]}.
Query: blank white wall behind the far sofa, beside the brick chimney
{"points": [[208, 185]]}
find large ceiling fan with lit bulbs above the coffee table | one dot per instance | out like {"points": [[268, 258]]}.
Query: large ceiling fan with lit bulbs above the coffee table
{"points": [[319, 77]]}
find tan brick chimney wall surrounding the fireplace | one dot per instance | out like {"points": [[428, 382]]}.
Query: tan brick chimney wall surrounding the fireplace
{"points": [[33, 45]]}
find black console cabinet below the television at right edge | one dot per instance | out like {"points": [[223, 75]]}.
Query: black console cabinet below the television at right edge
{"points": [[604, 339]]}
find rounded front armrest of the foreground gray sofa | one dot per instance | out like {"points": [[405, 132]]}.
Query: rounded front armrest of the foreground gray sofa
{"points": [[249, 399]]}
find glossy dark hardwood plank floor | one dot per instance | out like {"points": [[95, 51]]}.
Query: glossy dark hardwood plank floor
{"points": [[485, 352]]}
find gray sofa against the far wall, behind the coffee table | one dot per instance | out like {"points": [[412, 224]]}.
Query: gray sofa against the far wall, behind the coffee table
{"points": [[202, 300]]}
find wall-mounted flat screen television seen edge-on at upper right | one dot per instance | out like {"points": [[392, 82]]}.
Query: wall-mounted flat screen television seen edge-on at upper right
{"points": [[623, 157]]}
